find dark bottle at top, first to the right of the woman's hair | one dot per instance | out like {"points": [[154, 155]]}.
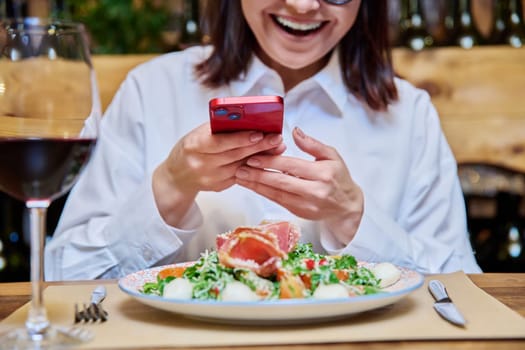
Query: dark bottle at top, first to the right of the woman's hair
{"points": [[412, 25]]}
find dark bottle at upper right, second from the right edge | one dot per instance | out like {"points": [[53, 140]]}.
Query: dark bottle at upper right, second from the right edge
{"points": [[466, 33]]}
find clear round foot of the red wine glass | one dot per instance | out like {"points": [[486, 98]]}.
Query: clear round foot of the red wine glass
{"points": [[53, 338]]}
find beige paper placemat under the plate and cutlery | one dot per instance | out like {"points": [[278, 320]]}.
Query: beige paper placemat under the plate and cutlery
{"points": [[134, 325]]}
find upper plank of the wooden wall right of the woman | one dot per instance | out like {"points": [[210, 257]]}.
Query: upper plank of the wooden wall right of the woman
{"points": [[480, 82]]}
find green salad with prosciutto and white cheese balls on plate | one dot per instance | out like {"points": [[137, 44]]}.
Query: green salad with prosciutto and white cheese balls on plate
{"points": [[267, 262]]}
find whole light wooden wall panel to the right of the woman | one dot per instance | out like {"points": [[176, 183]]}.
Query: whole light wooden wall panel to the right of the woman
{"points": [[480, 96]]}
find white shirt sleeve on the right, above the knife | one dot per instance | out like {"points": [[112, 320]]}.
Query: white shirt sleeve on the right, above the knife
{"points": [[429, 233]]}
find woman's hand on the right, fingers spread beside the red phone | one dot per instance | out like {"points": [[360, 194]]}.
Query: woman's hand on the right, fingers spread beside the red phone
{"points": [[316, 190]]}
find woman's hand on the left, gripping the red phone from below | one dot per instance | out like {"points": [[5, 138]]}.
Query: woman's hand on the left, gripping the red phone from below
{"points": [[201, 161]]}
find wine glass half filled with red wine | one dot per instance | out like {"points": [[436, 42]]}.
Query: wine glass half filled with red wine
{"points": [[49, 113]]}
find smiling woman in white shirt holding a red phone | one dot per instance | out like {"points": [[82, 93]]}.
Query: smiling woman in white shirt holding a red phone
{"points": [[363, 166]]}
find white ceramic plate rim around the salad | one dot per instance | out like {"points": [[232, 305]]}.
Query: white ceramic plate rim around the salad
{"points": [[289, 311]]}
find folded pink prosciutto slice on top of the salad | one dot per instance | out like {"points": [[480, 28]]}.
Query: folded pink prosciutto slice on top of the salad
{"points": [[257, 248]]}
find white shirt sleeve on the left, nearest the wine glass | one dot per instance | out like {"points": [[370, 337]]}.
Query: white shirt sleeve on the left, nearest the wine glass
{"points": [[110, 225]]}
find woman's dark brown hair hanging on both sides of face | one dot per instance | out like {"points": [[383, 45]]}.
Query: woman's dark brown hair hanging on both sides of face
{"points": [[366, 62]]}
